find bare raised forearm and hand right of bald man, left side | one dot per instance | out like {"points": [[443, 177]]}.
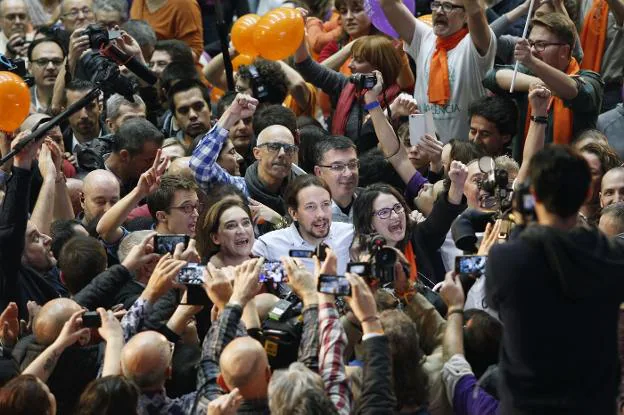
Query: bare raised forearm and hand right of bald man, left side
{"points": [[109, 226]]}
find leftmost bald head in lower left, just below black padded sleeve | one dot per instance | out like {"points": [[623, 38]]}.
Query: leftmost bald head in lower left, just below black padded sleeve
{"points": [[50, 320]]}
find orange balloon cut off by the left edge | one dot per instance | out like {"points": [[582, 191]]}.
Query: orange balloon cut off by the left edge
{"points": [[14, 101]]}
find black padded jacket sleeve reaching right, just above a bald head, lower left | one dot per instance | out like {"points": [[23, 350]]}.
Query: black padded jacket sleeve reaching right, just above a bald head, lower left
{"points": [[103, 289]]}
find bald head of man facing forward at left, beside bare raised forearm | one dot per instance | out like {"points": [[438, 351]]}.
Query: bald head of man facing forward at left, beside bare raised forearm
{"points": [[100, 192]]}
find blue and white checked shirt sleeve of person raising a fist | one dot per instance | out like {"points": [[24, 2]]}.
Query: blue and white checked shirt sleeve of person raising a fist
{"points": [[204, 161]]}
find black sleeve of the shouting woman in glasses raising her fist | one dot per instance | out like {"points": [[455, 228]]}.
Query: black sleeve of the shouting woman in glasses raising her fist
{"points": [[427, 237]]}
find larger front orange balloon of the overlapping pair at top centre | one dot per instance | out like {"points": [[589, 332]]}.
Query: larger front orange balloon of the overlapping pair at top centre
{"points": [[279, 33]]}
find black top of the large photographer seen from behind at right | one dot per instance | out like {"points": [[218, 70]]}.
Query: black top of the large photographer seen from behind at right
{"points": [[558, 293]]}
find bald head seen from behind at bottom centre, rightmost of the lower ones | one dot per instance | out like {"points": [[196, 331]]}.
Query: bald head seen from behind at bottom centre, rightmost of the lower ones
{"points": [[242, 362]]}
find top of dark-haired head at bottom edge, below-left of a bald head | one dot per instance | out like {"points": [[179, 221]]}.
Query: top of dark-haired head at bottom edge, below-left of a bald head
{"points": [[109, 395]]}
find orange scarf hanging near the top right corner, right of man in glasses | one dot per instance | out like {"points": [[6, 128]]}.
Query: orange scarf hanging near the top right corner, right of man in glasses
{"points": [[594, 35]]}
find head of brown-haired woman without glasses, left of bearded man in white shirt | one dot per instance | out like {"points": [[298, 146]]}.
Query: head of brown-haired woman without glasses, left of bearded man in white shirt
{"points": [[226, 233]]}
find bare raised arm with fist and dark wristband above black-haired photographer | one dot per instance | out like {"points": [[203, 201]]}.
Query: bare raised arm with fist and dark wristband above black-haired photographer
{"points": [[539, 97]]}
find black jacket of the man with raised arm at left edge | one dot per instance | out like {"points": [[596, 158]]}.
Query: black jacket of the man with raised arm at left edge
{"points": [[17, 282]]}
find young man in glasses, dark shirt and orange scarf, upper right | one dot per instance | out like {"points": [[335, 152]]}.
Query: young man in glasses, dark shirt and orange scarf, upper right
{"points": [[546, 59]]}
